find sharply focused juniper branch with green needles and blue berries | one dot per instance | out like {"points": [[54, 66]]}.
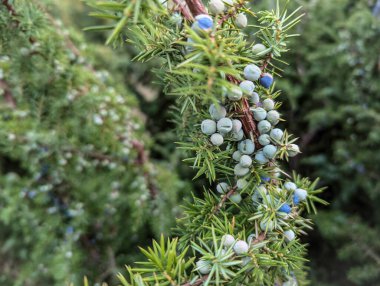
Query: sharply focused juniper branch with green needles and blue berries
{"points": [[245, 229]]}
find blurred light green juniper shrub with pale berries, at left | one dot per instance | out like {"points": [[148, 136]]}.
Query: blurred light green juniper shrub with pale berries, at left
{"points": [[77, 188]]}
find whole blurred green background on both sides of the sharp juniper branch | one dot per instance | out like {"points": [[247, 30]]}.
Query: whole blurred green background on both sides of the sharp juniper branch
{"points": [[78, 201]]}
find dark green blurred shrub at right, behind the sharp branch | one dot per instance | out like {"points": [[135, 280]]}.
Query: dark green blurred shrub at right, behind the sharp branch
{"points": [[334, 99]]}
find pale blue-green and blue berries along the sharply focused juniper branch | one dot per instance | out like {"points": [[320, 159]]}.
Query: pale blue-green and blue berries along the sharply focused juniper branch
{"points": [[221, 127]]}
